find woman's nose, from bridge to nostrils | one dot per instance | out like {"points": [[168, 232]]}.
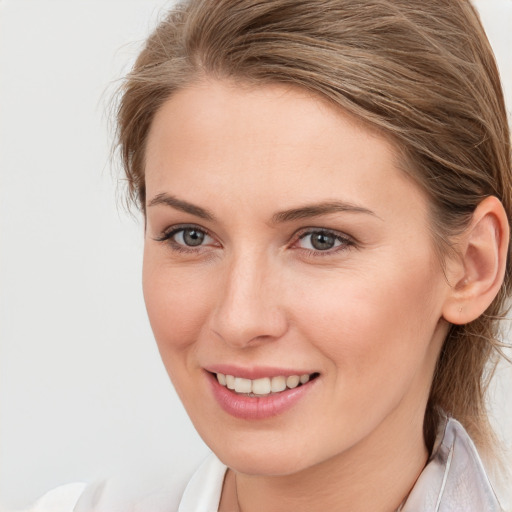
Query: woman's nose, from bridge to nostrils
{"points": [[249, 310]]}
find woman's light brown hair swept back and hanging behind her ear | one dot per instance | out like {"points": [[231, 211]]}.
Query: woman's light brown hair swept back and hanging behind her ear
{"points": [[421, 73]]}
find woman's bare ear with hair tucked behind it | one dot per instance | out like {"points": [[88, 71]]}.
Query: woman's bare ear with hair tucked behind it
{"points": [[478, 274]]}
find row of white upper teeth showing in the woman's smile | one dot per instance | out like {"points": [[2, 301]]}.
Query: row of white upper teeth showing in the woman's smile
{"points": [[263, 386]]}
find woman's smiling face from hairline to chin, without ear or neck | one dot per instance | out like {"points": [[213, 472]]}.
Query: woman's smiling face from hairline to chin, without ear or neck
{"points": [[283, 241]]}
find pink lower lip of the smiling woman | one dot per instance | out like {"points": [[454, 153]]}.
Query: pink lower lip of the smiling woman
{"points": [[257, 408]]}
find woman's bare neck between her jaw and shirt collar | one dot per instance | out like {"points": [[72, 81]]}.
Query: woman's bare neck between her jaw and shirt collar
{"points": [[377, 474]]}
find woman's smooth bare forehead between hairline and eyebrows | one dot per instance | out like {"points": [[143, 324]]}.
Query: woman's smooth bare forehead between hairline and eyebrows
{"points": [[268, 142]]}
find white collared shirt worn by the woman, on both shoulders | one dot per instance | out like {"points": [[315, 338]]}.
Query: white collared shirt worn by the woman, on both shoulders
{"points": [[453, 480]]}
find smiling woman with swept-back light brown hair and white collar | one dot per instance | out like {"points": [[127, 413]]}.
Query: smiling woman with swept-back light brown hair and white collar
{"points": [[327, 193]]}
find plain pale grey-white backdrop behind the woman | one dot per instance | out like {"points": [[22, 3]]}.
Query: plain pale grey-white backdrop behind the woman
{"points": [[83, 393]]}
